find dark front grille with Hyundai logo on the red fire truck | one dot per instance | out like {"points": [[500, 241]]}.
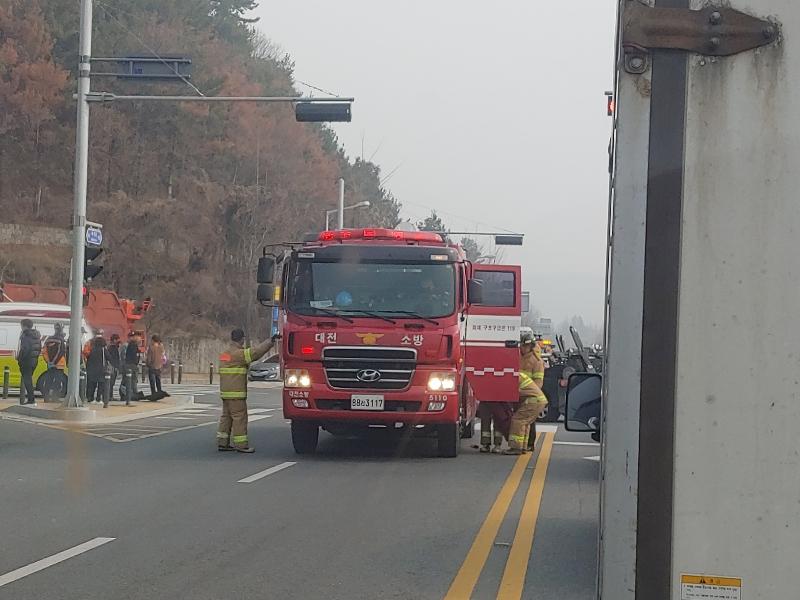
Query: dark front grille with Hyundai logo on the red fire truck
{"points": [[360, 368]]}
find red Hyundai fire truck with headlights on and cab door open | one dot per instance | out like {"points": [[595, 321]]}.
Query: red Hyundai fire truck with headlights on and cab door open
{"points": [[391, 329]]}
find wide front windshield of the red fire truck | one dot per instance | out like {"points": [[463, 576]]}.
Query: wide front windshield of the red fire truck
{"points": [[393, 290]]}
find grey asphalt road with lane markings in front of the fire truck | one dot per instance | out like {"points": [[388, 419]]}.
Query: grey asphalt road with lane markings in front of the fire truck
{"points": [[166, 516]]}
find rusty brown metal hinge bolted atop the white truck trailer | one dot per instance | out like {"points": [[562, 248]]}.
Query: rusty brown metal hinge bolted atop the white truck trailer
{"points": [[713, 31]]}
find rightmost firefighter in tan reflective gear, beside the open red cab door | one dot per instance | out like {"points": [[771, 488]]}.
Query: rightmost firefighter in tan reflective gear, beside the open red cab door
{"points": [[531, 399]]}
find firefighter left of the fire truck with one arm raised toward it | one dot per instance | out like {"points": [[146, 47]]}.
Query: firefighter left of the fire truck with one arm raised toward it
{"points": [[234, 363]]}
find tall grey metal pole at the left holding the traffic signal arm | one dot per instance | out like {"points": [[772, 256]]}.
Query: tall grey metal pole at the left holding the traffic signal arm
{"points": [[79, 213]]}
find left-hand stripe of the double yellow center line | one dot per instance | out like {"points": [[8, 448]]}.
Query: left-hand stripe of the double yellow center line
{"points": [[470, 571]]}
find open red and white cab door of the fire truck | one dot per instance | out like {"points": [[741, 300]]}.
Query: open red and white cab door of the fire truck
{"points": [[491, 334]]}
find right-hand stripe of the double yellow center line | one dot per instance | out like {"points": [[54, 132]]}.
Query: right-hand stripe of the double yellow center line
{"points": [[517, 565]]}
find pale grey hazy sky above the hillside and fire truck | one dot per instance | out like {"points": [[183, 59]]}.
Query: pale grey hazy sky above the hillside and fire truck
{"points": [[493, 112]]}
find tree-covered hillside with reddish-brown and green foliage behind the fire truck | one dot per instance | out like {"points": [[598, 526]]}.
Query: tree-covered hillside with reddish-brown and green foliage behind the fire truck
{"points": [[188, 193]]}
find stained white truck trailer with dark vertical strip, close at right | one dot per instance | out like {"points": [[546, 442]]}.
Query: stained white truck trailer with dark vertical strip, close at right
{"points": [[700, 468]]}
